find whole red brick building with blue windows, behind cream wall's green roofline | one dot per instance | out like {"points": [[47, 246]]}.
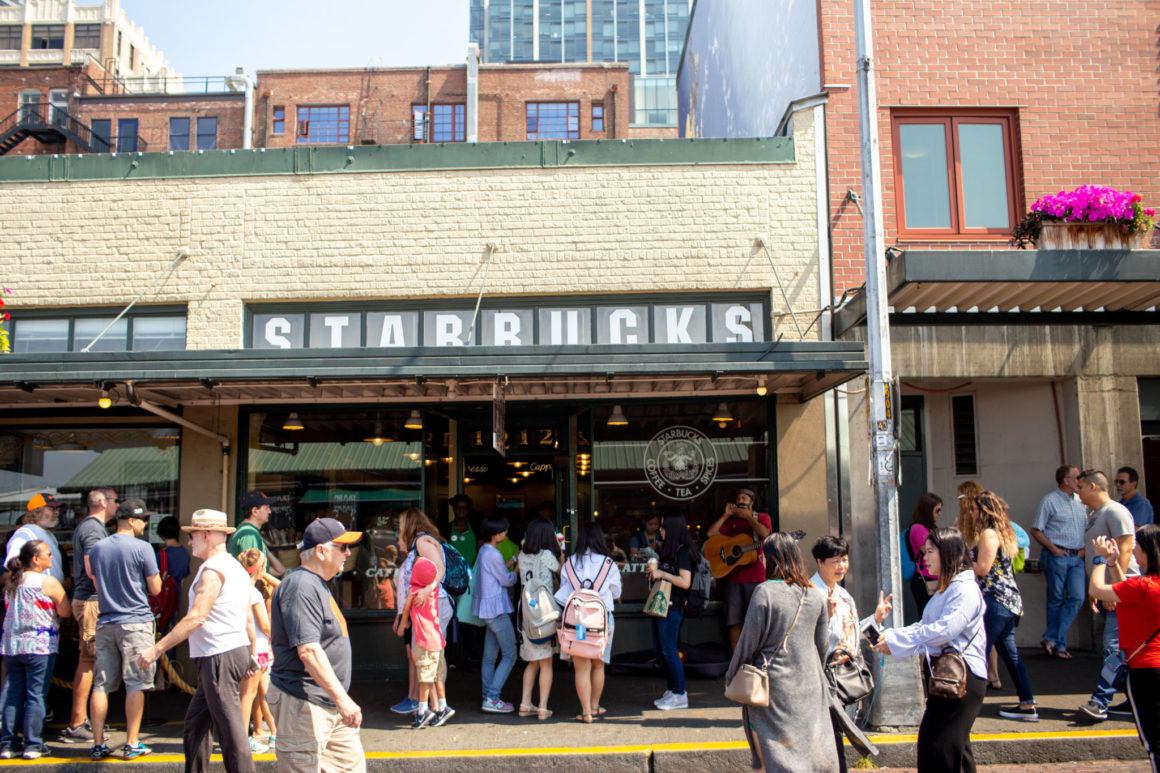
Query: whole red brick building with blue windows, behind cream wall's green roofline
{"points": [[417, 105]]}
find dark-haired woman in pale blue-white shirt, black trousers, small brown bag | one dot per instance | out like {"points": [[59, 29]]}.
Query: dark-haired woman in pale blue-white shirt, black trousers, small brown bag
{"points": [[952, 619]]}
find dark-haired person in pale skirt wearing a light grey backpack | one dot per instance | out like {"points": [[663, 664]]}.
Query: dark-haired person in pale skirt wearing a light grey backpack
{"points": [[540, 564]]}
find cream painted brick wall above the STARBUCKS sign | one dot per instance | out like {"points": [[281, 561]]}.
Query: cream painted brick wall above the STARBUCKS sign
{"points": [[412, 235]]}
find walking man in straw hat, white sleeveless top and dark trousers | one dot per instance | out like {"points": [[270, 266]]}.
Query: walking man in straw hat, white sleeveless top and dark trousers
{"points": [[221, 632]]}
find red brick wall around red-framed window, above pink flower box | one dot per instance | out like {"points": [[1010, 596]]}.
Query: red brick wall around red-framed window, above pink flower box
{"points": [[1079, 82]]}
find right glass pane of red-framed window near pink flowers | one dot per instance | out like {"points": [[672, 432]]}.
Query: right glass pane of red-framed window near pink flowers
{"points": [[981, 153]]}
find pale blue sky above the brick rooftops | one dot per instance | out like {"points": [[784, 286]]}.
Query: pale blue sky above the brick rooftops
{"points": [[212, 38]]}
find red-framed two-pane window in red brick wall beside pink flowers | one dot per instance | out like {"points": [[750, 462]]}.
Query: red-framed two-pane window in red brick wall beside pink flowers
{"points": [[955, 174]]}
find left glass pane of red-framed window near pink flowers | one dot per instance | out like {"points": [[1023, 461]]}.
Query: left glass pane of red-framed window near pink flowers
{"points": [[924, 149]]}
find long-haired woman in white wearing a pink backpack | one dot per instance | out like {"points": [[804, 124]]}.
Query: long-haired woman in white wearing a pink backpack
{"points": [[590, 586]]}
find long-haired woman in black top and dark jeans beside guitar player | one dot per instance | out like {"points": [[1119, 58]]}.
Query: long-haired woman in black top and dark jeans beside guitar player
{"points": [[677, 562]]}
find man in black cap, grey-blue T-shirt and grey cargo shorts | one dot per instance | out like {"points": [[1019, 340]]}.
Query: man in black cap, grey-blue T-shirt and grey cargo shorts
{"points": [[126, 574]]}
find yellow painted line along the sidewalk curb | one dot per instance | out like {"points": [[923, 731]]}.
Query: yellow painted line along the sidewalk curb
{"points": [[636, 749]]}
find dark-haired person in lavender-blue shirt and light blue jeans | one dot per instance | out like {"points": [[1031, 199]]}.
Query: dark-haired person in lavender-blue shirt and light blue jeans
{"points": [[494, 605]]}
